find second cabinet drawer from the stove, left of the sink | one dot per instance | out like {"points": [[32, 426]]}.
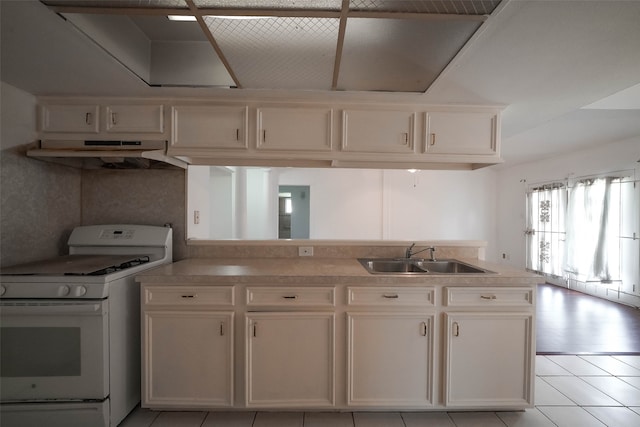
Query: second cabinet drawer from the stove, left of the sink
{"points": [[291, 296]]}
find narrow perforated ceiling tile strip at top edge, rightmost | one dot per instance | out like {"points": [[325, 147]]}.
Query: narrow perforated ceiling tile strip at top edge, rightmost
{"points": [[457, 7]]}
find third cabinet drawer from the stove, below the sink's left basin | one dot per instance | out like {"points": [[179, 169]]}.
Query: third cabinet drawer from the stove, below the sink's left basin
{"points": [[390, 296]]}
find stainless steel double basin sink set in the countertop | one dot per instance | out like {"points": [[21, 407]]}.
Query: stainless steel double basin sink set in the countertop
{"points": [[405, 266]]}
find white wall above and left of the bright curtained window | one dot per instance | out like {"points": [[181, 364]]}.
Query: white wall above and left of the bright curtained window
{"points": [[512, 184]]}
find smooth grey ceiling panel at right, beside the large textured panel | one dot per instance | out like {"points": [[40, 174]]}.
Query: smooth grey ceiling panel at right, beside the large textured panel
{"points": [[399, 55]]}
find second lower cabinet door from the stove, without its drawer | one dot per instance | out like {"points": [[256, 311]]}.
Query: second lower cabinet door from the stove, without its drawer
{"points": [[290, 359]]}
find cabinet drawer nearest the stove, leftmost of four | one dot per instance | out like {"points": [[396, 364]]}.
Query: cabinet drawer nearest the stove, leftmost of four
{"points": [[188, 295]]}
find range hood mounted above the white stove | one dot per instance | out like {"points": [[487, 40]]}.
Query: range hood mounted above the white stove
{"points": [[113, 154]]}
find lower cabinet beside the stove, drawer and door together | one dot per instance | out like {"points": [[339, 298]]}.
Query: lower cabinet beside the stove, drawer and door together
{"points": [[187, 346]]}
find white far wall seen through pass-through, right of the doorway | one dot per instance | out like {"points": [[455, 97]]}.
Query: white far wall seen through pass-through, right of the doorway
{"points": [[398, 205]]}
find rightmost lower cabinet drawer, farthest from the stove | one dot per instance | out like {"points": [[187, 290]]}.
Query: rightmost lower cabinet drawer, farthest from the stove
{"points": [[495, 296]]}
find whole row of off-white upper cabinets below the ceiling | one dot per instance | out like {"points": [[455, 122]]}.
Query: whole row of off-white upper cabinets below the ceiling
{"points": [[287, 132]]}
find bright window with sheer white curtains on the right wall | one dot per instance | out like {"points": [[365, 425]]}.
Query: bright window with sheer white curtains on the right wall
{"points": [[580, 230]]}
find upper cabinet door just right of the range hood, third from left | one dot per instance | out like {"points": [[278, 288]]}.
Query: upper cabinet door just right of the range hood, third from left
{"points": [[209, 127]]}
